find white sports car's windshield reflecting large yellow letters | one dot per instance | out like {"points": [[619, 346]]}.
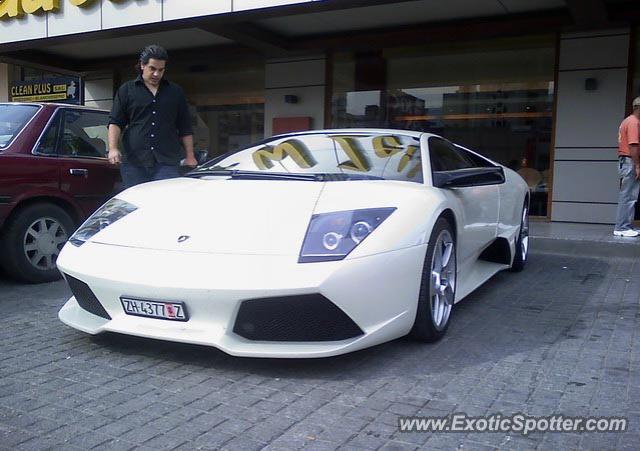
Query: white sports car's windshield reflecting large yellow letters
{"points": [[345, 156]]}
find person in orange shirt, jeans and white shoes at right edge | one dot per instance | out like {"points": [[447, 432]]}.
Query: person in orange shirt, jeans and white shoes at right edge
{"points": [[629, 172]]}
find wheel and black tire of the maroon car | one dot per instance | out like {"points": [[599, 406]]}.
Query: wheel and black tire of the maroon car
{"points": [[31, 241]]}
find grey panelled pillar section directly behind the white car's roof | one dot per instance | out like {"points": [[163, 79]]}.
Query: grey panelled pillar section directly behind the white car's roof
{"points": [[303, 77]]}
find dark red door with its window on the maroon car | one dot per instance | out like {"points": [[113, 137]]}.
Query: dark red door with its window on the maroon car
{"points": [[78, 139]]}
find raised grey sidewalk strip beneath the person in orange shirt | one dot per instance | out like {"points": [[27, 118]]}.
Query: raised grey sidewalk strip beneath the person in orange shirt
{"points": [[581, 240]]}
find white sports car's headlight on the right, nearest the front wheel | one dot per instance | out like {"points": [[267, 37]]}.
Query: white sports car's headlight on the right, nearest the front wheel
{"points": [[331, 236]]}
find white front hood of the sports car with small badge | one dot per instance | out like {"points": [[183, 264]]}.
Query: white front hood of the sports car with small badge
{"points": [[216, 216]]}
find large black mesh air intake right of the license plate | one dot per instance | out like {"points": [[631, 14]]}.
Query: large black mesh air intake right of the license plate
{"points": [[310, 317]]}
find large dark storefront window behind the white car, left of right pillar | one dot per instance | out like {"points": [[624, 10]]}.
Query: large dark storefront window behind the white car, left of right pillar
{"points": [[495, 97]]}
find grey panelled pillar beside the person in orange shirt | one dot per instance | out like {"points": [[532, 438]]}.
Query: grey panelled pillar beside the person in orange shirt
{"points": [[585, 178]]}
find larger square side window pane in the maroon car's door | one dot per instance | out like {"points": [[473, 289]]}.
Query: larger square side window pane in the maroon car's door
{"points": [[84, 134]]}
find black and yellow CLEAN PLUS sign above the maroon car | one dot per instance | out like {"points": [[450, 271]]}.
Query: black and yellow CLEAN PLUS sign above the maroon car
{"points": [[58, 89]]}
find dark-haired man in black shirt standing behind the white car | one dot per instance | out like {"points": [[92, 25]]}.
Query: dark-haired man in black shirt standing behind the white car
{"points": [[154, 115]]}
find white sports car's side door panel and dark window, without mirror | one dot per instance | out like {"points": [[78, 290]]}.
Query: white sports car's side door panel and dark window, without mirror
{"points": [[478, 206]]}
